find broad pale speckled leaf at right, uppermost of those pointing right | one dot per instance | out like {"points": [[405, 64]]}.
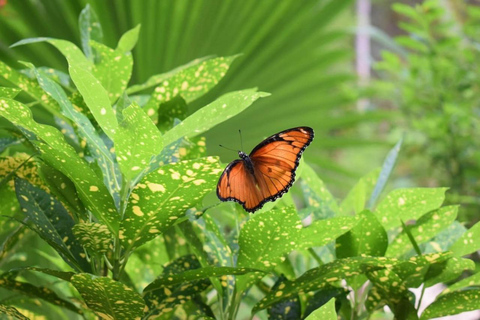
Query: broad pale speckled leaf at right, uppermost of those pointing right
{"points": [[407, 204]]}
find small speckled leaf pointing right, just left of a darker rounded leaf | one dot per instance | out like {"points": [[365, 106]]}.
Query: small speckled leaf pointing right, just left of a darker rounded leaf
{"points": [[322, 232]]}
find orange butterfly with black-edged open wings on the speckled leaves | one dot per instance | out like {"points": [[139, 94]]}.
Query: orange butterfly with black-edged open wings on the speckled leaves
{"points": [[267, 172]]}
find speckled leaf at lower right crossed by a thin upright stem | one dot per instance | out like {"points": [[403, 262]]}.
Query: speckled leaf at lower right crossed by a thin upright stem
{"points": [[428, 226]]}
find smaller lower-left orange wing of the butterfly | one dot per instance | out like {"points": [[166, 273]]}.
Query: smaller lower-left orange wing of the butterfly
{"points": [[238, 184]]}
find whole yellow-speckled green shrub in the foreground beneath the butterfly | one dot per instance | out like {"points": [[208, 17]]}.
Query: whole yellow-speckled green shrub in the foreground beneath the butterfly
{"points": [[120, 191]]}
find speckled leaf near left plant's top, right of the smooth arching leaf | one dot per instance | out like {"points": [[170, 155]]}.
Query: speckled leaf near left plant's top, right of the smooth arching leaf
{"points": [[113, 69]]}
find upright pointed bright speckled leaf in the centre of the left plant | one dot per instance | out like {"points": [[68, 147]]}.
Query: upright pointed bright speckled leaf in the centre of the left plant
{"points": [[137, 140]]}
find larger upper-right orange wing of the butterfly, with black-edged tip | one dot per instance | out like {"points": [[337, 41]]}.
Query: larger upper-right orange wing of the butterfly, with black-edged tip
{"points": [[275, 160]]}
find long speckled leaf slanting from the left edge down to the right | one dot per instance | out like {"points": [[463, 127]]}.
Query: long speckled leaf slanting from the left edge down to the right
{"points": [[60, 155]]}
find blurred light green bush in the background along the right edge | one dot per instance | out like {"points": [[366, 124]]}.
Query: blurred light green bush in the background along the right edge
{"points": [[436, 86]]}
